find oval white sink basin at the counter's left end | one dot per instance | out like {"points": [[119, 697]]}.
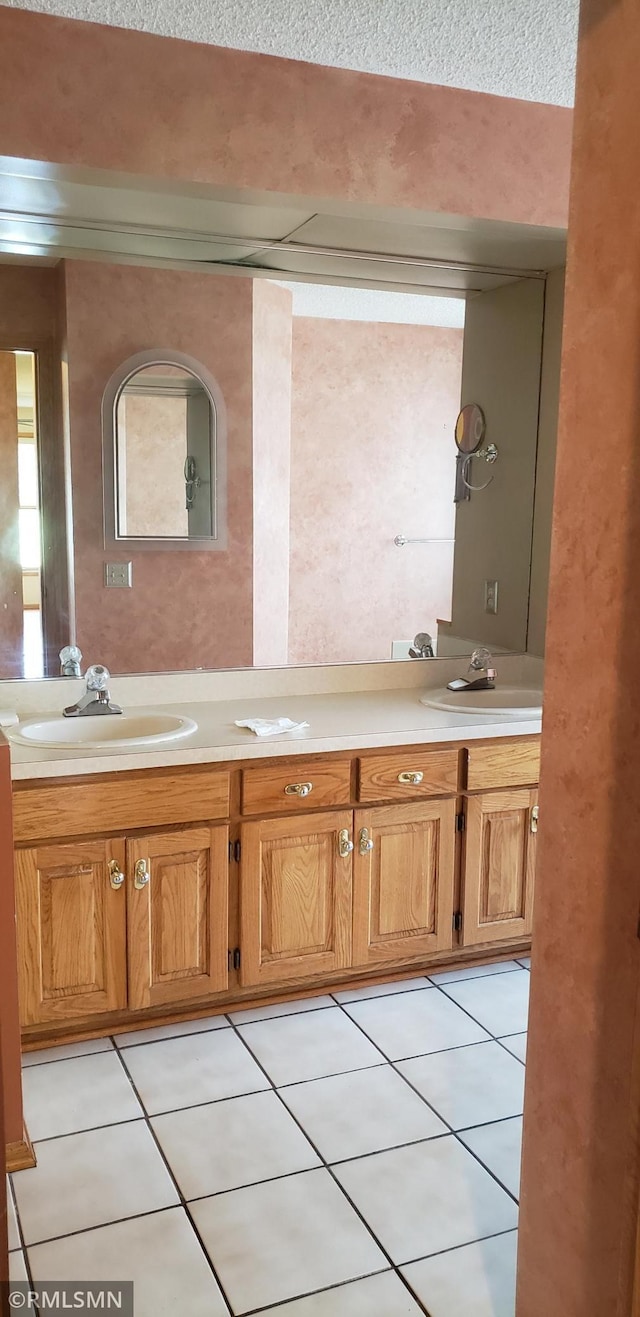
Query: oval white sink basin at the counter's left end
{"points": [[103, 732]]}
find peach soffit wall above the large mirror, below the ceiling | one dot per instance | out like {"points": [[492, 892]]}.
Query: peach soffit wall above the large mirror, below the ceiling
{"points": [[82, 94]]}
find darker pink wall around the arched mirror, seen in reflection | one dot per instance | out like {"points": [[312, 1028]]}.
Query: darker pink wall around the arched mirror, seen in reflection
{"points": [[186, 609]]}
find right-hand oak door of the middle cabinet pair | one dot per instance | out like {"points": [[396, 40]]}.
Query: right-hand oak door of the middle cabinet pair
{"points": [[404, 884]]}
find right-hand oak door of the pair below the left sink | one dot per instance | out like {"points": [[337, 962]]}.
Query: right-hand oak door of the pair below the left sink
{"points": [[178, 916]]}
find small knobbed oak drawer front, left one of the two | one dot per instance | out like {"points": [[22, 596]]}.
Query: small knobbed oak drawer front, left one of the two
{"points": [[301, 787]]}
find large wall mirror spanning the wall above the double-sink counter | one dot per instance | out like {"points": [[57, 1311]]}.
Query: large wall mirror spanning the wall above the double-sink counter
{"points": [[307, 433]]}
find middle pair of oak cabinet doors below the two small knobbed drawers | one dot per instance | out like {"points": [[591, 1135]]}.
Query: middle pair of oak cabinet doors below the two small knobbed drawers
{"points": [[348, 890]]}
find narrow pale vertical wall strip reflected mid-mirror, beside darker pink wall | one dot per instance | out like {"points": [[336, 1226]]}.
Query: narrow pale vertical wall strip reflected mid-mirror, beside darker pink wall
{"points": [[272, 475]]}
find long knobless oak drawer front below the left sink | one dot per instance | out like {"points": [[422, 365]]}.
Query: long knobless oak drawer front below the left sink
{"points": [[124, 804]]}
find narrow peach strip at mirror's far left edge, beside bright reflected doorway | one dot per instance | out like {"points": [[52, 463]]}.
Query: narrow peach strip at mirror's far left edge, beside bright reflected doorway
{"points": [[11, 572]]}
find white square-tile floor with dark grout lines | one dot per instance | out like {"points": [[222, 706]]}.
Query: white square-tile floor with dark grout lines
{"points": [[354, 1156]]}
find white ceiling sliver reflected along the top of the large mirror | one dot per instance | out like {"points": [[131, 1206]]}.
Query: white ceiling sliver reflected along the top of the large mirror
{"points": [[406, 309]]}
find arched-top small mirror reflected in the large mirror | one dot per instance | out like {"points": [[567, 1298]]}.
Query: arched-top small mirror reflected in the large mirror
{"points": [[164, 448]]}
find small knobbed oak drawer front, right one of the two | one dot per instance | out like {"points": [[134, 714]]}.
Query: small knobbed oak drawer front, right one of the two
{"points": [[409, 775]]}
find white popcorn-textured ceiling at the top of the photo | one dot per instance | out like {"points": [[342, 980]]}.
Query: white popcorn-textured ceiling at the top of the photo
{"points": [[512, 48]]}
